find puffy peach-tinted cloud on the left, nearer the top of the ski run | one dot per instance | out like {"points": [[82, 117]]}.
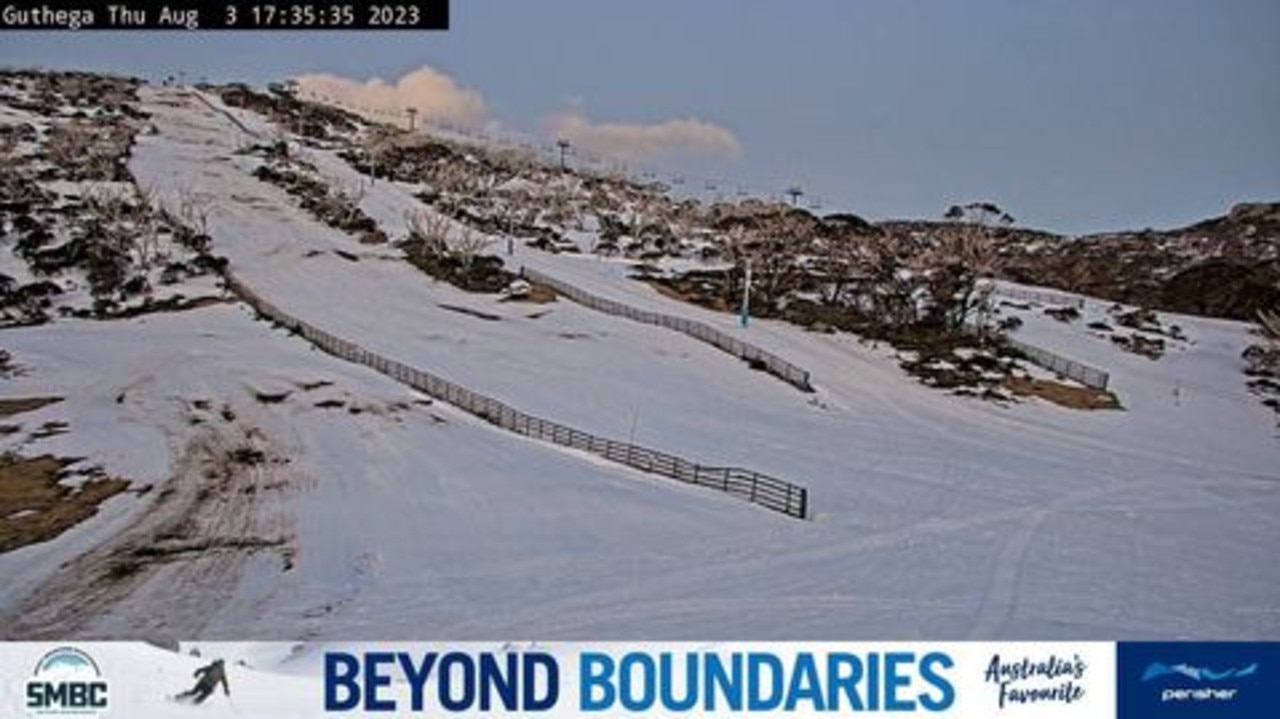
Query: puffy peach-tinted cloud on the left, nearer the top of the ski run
{"points": [[433, 94]]}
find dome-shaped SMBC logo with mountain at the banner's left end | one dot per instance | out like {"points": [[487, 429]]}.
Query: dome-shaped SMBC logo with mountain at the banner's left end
{"points": [[67, 683]]}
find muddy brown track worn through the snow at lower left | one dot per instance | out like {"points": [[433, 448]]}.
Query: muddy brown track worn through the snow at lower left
{"points": [[166, 575]]}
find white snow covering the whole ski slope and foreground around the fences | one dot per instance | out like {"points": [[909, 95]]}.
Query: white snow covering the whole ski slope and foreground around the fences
{"points": [[935, 516]]}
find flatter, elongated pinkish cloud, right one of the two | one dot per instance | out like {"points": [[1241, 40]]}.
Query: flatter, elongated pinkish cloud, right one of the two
{"points": [[639, 143]]}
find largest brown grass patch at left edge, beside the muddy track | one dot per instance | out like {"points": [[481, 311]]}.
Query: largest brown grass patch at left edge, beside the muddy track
{"points": [[35, 507]]}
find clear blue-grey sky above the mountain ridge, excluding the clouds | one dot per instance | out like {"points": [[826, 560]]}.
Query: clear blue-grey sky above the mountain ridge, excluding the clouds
{"points": [[1076, 116]]}
